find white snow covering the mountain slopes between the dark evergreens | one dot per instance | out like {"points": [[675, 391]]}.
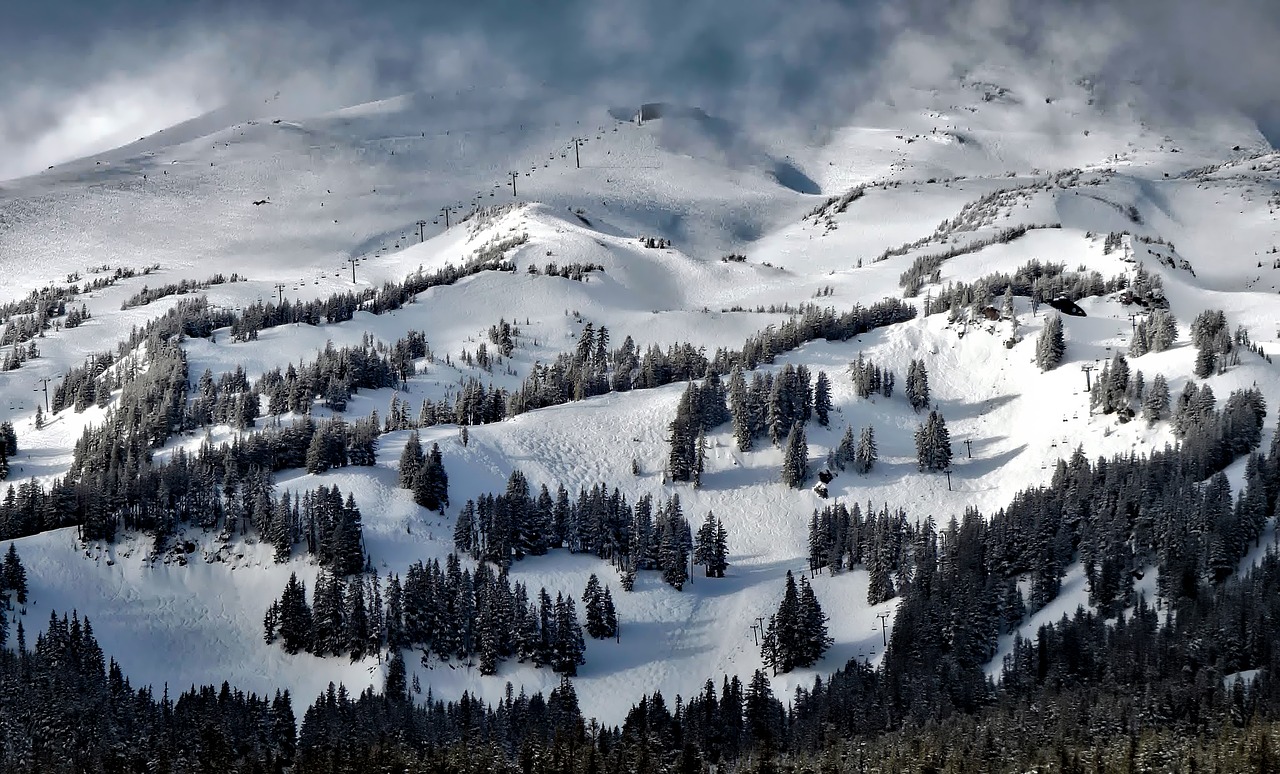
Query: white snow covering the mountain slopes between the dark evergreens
{"points": [[354, 185]]}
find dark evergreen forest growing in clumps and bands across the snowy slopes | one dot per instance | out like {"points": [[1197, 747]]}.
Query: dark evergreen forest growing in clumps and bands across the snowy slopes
{"points": [[1132, 683]]}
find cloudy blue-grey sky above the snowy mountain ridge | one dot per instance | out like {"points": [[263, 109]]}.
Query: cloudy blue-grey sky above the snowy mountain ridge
{"points": [[81, 76]]}
